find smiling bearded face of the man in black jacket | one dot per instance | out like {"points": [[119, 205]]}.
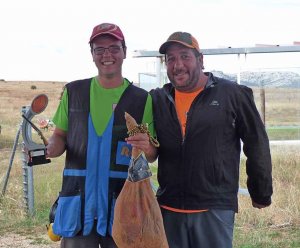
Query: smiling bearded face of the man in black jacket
{"points": [[184, 68]]}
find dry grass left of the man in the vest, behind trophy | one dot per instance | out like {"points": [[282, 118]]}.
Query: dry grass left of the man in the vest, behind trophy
{"points": [[47, 178]]}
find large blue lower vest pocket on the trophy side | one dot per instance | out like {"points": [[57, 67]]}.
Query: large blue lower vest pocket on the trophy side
{"points": [[67, 222]]}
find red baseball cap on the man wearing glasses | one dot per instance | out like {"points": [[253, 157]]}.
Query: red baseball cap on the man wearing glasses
{"points": [[107, 28]]}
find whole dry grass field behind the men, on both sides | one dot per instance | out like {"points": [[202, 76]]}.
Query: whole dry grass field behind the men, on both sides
{"points": [[277, 226]]}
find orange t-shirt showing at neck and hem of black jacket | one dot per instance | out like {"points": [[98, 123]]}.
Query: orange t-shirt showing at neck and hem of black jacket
{"points": [[183, 103]]}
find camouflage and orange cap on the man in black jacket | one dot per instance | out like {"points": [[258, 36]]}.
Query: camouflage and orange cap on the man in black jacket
{"points": [[182, 38]]}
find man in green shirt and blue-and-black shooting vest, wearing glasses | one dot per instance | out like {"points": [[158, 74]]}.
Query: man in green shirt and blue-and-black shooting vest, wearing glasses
{"points": [[91, 128]]}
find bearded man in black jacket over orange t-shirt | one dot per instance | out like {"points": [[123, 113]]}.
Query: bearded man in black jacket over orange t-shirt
{"points": [[199, 121]]}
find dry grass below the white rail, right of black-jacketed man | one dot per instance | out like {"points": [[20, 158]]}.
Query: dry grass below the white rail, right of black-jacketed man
{"points": [[279, 224]]}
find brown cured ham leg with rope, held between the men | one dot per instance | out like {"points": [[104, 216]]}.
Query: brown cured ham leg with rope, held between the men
{"points": [[137, 218]]}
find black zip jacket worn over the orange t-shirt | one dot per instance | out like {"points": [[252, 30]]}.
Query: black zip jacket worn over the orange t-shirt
{"points": [[201, 170]]}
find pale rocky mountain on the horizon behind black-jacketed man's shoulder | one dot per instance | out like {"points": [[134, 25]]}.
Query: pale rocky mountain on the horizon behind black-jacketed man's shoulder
{"points": [[277, 79]]}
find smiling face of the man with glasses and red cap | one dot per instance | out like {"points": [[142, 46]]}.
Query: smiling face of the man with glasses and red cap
{"points": [[109, 63]]}
